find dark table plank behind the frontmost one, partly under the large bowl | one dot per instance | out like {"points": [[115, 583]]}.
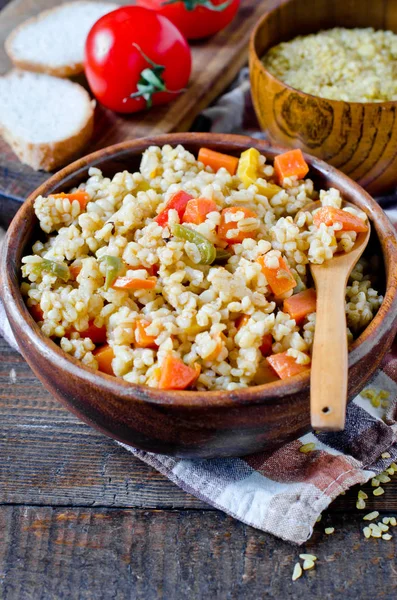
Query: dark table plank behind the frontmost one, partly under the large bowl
{"points": [[52, 458]]}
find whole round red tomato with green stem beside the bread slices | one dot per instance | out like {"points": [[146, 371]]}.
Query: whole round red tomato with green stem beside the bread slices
{"points": [[134, 58]]}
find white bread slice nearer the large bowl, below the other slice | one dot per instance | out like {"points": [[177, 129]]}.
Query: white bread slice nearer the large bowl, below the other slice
{"points": [[46, 120]]}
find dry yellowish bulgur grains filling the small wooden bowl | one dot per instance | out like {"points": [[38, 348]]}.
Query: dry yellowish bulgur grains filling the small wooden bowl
{"points": [[353, 65]]}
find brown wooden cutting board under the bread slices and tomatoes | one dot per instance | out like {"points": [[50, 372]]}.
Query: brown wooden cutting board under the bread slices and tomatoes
{"points": [[216, 62]]}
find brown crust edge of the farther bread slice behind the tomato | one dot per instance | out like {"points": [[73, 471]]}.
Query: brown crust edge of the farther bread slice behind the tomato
{"points": [[64, 71]]}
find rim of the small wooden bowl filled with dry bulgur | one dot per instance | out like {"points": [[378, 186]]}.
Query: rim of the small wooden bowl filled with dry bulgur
{"points": [[255, 56]]}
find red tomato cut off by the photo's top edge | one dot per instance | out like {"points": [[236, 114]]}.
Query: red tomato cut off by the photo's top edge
{"points": [[195, 18]]}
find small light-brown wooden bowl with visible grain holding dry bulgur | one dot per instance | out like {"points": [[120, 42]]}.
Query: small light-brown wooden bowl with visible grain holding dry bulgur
{"points": [[358, 138]]}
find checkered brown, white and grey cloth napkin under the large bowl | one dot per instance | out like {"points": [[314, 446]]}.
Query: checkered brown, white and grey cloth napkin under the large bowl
{"points": [[283, 492]]}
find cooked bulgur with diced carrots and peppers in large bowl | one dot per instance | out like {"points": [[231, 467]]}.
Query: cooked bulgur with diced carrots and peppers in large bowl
{"points": [[192, 273]]}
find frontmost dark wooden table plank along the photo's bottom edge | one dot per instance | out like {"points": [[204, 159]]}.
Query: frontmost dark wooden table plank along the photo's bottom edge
{"points": [[81, 554]]}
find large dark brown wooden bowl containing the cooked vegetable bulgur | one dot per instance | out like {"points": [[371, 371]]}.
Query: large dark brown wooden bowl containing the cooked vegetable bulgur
{"points": [[189, 424]]}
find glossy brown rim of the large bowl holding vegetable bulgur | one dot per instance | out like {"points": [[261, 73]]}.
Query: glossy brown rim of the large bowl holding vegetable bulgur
{"points": [[266, 393]]}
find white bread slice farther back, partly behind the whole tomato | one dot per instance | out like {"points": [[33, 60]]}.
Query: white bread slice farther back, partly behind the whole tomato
{"points": [[53, 42]]}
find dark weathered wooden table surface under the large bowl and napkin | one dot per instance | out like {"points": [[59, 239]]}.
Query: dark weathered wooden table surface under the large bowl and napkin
{"points": [[81, 518]]}
